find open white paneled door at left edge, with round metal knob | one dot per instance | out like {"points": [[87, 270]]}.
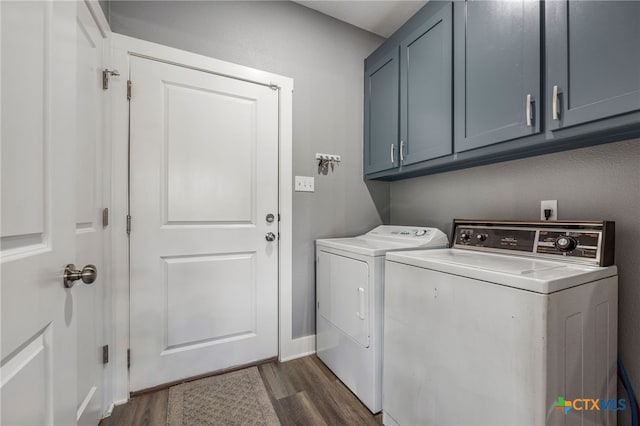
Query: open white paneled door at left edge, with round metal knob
{"points": [[38, 367]]}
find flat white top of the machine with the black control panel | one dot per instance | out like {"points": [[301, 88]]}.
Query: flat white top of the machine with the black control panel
{"points": [[540, 276]]}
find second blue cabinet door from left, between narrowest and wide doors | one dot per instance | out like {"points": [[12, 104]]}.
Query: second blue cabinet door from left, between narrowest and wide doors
{"points": [[425, 90]]}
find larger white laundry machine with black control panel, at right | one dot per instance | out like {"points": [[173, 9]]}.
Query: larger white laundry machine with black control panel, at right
{"points": [[496, 329]]}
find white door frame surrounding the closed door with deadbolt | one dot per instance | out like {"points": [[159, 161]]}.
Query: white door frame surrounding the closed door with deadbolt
{"points": [[122, 48]]}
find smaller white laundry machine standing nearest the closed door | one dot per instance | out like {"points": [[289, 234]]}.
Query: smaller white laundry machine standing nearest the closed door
{"points": [[349, 291]]}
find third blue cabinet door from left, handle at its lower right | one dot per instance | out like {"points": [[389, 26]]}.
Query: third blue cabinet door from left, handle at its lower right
{"points": [[497, 71]]}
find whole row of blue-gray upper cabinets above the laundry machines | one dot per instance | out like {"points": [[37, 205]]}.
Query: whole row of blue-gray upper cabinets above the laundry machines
{"points": [[461, 84]]}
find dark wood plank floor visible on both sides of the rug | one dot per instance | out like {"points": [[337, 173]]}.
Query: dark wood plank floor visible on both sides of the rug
{"points": [[303, 392]]}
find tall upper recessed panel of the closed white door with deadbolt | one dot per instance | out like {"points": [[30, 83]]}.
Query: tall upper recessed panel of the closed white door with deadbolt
{"points": [[199, 173]]}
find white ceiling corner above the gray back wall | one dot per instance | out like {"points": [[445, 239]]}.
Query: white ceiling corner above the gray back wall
{"points": [[381, 17]]}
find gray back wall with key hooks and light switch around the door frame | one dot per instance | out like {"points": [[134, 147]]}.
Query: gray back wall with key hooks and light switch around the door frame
{"points": [[325, 58]]}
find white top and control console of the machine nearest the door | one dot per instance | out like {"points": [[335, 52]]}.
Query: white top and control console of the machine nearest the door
{"points": [[386, 238]]}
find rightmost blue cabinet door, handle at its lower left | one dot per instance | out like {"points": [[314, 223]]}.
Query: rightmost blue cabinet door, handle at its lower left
{"points": [[593, 60]]}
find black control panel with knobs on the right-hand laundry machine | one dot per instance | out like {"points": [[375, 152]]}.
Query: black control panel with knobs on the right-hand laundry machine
{"points": [[580, 241]]}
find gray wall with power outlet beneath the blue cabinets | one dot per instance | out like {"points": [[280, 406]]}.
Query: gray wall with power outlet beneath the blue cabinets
{"points": [[596, 183]]}
